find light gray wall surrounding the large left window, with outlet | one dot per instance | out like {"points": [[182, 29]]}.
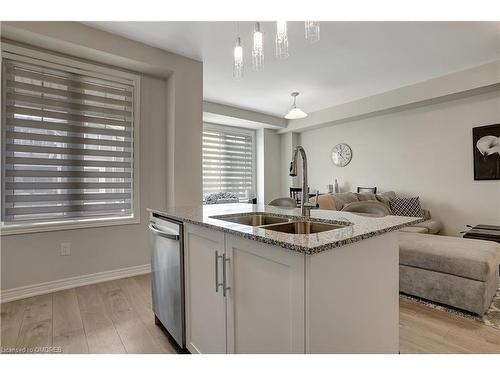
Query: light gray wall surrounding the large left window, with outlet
{"points": [[170, 155]]}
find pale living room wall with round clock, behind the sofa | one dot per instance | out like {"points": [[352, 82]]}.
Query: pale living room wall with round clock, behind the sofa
{"points": [[425, 152]]}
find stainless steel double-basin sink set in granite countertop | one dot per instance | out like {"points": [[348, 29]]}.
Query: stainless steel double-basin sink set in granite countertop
{"points": [[289, 225]]}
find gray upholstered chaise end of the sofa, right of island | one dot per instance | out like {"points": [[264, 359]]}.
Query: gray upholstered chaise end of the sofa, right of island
{"points": [[450, 270]]}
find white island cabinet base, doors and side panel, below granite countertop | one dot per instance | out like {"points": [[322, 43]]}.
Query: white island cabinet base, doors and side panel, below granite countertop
{"points": [[272, 300]]}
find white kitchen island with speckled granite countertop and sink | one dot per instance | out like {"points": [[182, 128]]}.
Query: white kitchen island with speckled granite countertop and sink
{"points": [[260, 279]]}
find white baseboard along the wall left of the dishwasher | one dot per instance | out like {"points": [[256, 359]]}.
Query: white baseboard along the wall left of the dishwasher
{"points": [[71, 282]]}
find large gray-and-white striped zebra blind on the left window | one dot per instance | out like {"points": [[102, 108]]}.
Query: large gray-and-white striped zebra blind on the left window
{"points": [[67, 145]]}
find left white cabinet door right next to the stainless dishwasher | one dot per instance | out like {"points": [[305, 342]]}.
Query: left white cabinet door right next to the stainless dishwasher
{"points": [[205, 307]]}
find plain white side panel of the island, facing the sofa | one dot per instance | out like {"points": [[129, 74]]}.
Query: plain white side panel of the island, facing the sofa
{"points": [[353, 298]]}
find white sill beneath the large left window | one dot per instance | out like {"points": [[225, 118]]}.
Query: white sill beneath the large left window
{"points": [[12, 229]]}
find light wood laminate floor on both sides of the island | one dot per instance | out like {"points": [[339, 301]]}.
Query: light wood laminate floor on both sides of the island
{"points": [[116, 317]]}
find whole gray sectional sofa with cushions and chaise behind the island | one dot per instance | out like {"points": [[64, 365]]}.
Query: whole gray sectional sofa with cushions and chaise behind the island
{"points": [[454, 271]]}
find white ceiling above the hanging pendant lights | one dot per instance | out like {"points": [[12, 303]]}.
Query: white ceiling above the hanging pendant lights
{"points": [[351, 61]]}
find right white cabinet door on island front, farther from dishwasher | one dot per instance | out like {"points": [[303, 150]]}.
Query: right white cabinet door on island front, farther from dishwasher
{"points": [[265, 302]]}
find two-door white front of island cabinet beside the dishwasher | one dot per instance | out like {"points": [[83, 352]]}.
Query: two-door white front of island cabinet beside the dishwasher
{"points": [[262, 308]]}
